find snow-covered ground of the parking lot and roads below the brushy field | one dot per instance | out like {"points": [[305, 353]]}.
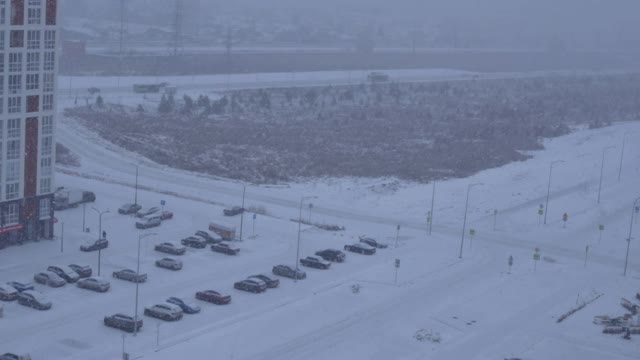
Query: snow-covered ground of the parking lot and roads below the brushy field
{"points": [[436, 305]]}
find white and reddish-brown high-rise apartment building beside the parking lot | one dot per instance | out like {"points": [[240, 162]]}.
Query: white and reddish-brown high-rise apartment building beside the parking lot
{"points": [[28, 68]]}
